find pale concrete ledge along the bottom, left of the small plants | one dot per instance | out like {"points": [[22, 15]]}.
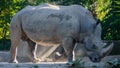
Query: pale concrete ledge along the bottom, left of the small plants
{"points": [[30, 65]]}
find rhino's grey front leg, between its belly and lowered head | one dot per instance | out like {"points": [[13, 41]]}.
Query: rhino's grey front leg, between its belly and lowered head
{"points": [[68, 45]]}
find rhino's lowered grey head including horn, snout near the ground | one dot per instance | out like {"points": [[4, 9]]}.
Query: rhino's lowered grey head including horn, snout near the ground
{"points": [[95, 48]]}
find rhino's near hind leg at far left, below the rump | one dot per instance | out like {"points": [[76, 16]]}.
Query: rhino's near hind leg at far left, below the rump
{"points": [[15, 35]]}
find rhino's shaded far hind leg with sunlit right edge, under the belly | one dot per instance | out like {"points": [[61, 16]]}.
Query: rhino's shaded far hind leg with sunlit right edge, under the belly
{"points": [[32, 51]]}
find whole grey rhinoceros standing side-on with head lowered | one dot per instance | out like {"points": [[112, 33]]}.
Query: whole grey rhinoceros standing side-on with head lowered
{"points": [[50, 25]]}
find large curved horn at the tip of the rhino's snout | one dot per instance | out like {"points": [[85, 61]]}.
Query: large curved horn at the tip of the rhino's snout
{"points": [[106, 50]]}
